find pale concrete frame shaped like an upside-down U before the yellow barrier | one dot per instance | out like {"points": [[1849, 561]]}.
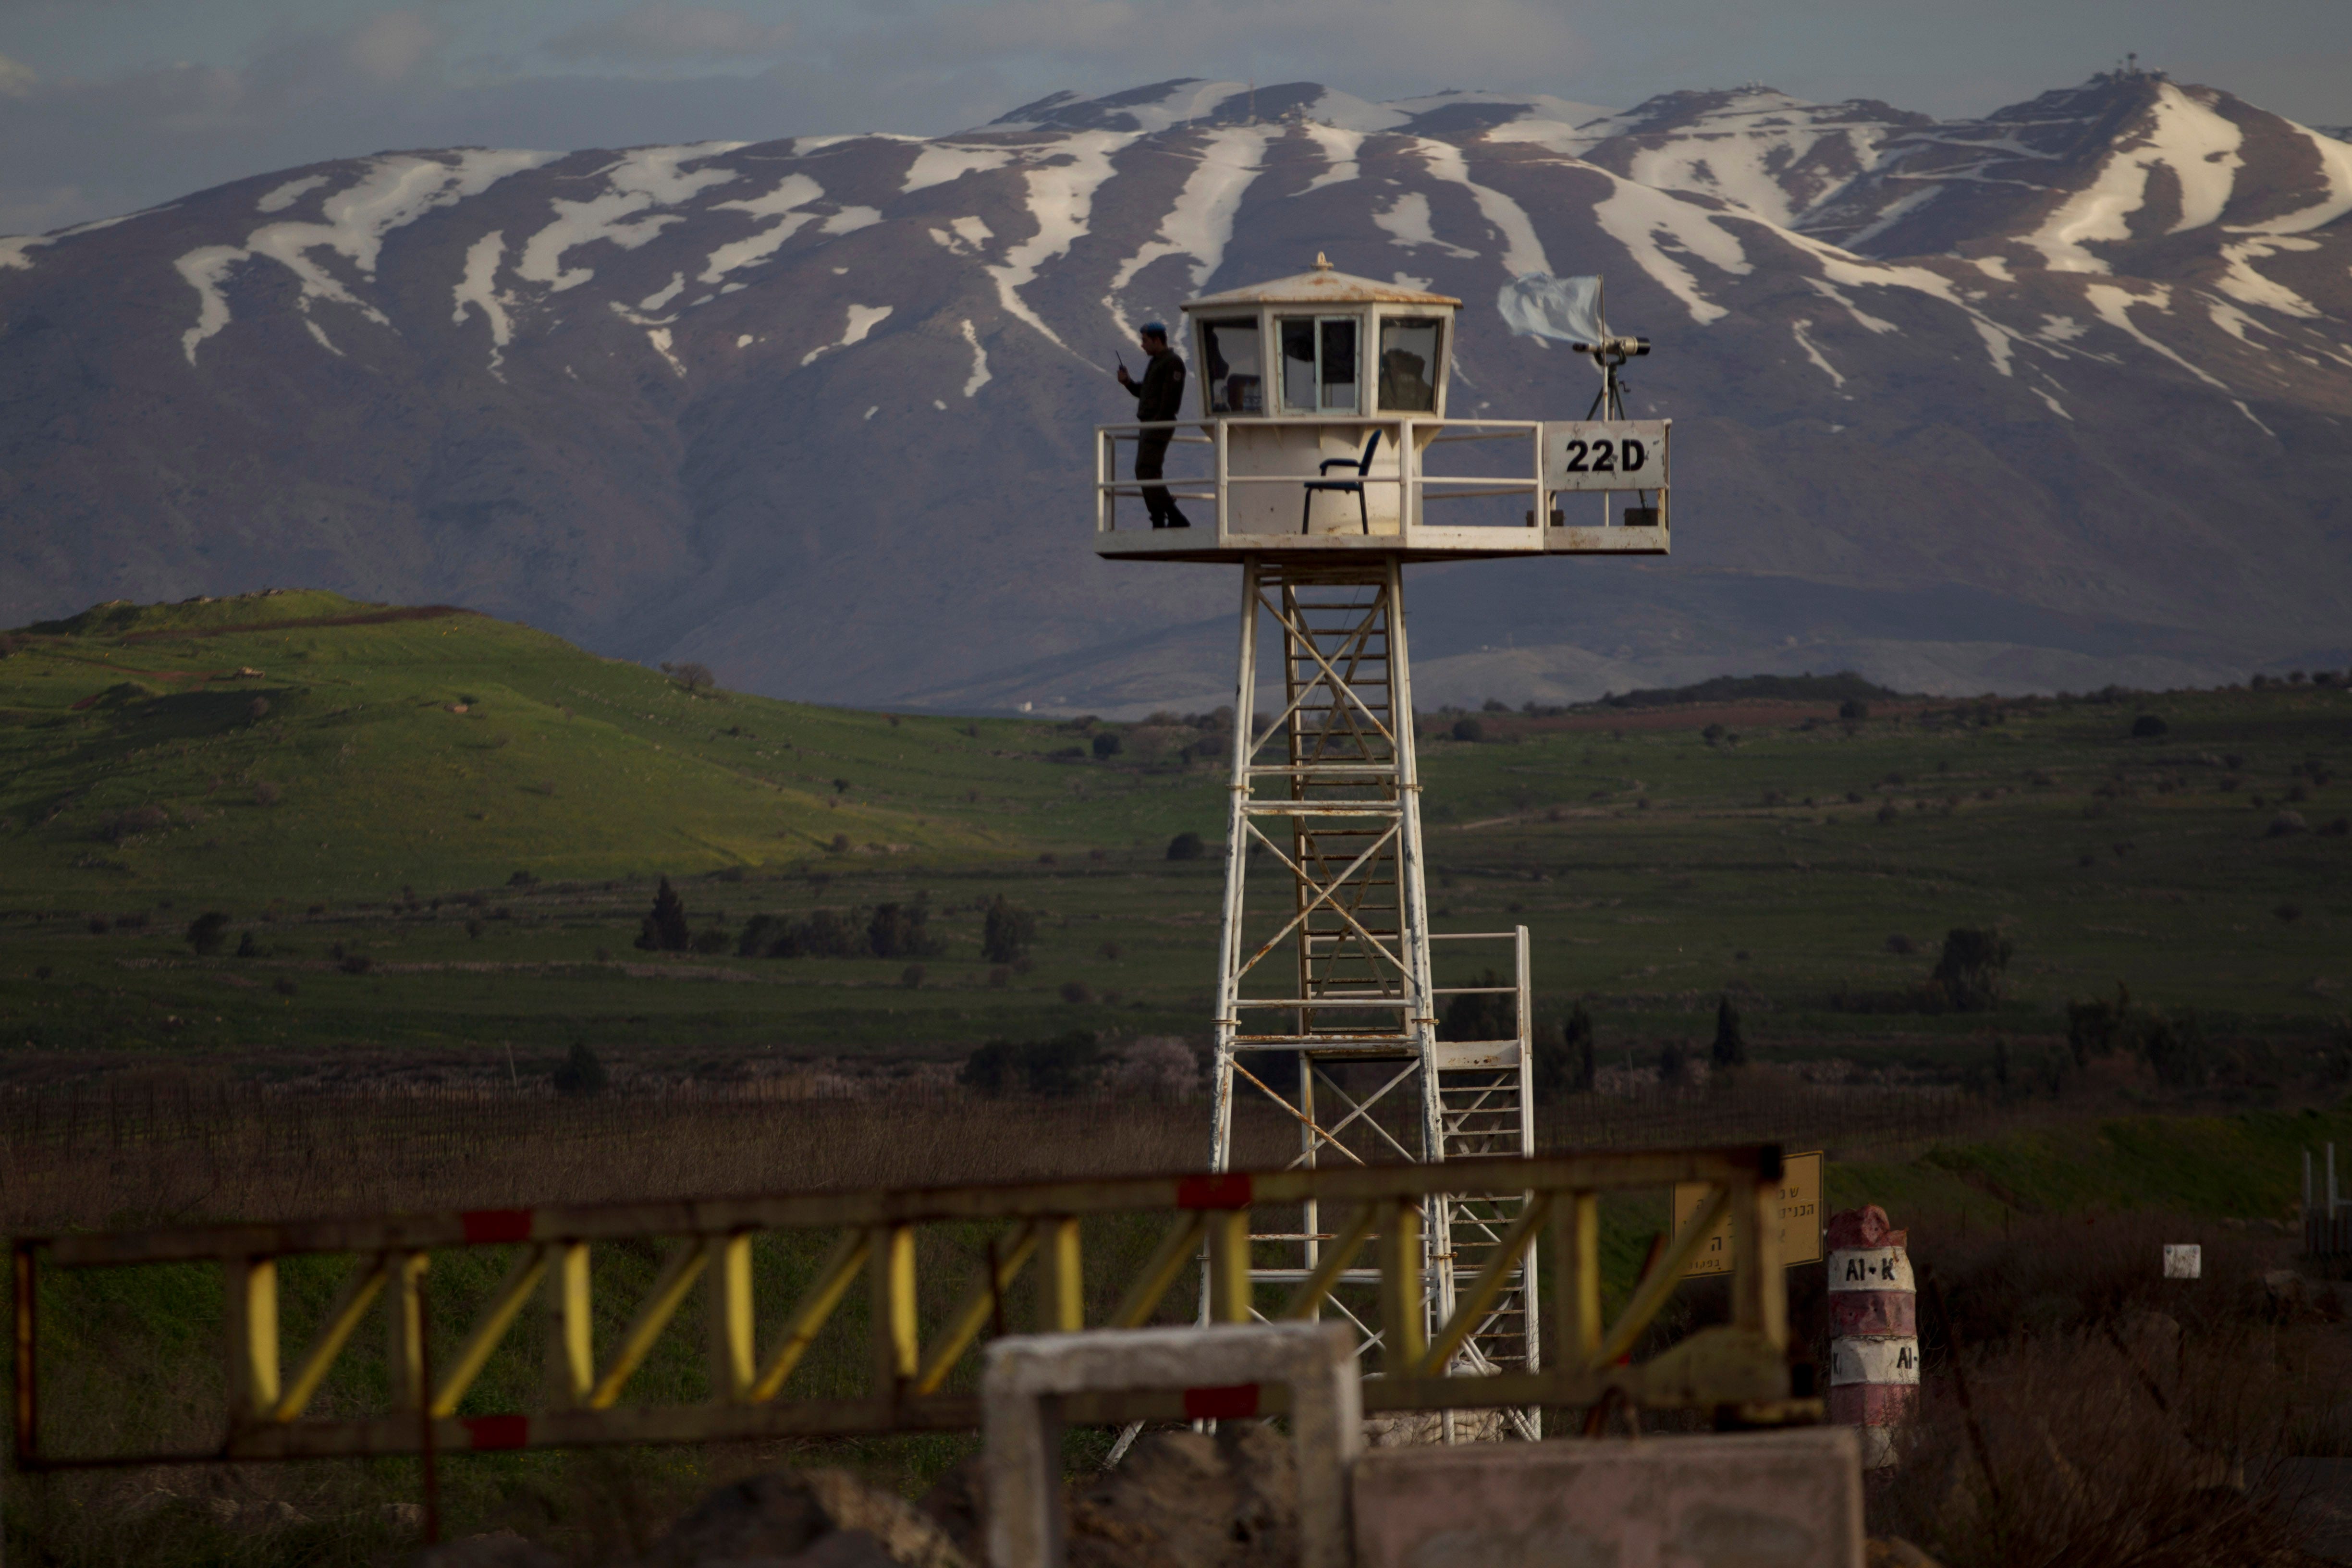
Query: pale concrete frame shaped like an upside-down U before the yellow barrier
{"points": [[1027, 1374]]}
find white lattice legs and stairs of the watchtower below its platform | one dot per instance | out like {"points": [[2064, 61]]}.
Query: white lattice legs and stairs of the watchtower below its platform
{"points": [[1325, 998]]}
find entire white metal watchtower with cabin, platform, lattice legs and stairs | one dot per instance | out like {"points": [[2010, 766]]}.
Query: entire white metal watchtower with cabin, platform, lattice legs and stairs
{"points": [[1323, 462]]}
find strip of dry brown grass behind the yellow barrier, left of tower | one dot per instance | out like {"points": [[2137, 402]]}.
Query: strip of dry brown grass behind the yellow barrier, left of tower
{"points": [[182, 1151]]}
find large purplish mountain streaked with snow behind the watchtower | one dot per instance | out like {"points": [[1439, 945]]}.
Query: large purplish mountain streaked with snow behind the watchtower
{"points": [[2052, 398]]}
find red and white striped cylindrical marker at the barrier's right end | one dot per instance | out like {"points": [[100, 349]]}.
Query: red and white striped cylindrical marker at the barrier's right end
{"points": [[1876, 1325]]}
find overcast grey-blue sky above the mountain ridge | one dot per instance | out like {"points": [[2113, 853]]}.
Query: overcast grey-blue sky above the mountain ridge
{"points": [[116, 105]]}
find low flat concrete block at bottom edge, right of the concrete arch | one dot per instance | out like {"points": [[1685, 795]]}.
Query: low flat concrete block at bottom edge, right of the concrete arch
{"points": [[1739, 1501]]}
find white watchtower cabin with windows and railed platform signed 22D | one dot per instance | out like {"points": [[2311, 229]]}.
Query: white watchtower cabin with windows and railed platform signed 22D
{"points": [[1323, 434]]}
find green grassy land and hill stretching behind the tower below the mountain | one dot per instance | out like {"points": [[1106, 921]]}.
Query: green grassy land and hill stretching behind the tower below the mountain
{"points": [[434, 838]]}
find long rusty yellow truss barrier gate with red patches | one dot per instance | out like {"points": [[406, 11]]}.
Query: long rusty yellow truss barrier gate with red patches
{"points": [[1739, 1365]]}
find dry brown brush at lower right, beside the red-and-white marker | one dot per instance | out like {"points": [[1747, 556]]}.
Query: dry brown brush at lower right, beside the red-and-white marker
{"points": [[2085, 1412]]}
